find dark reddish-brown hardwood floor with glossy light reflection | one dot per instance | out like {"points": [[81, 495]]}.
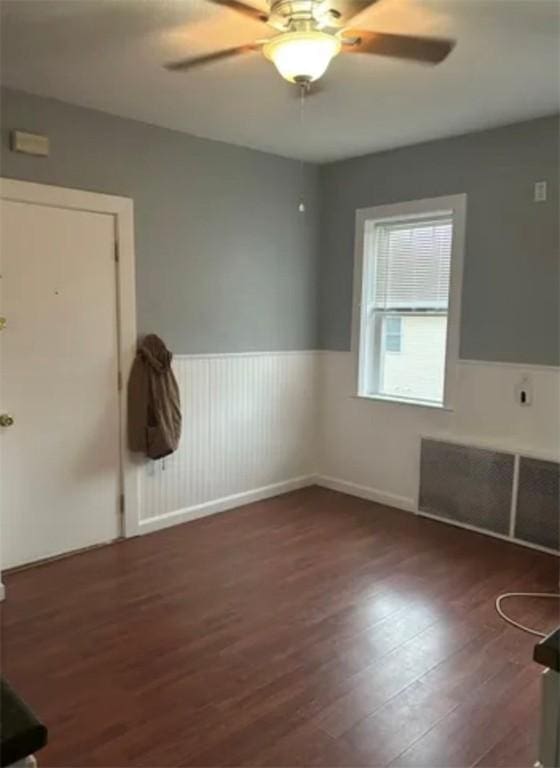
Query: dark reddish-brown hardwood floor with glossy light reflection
{"points": [[313, 629]]}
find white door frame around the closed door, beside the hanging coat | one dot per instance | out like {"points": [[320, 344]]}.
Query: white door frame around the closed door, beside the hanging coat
{"points": [[122, 210]]}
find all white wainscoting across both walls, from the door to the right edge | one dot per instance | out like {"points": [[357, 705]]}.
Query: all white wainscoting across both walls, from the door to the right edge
{"points": [[257, 425]]}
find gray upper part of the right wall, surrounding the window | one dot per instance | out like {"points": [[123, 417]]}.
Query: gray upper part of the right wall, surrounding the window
{"points": [[511, 272]]}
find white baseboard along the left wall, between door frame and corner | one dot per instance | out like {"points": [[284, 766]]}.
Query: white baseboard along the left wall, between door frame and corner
{"points": [[222, 505]]}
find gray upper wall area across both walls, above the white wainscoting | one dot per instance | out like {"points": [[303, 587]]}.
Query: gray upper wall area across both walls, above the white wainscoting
{"points": [[226, 263]]}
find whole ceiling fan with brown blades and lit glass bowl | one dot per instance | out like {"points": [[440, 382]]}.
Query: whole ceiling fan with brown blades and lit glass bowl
{"points": [[312, 32]]}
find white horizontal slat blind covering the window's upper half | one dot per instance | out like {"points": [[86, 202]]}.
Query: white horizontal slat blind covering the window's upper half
{"points": [[412, 264]]}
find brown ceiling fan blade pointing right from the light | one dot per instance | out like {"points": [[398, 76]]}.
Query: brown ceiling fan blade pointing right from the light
{"points": [[428, 50]]}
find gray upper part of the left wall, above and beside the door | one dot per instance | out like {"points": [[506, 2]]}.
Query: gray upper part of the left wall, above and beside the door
{"points": [[225, 262]]}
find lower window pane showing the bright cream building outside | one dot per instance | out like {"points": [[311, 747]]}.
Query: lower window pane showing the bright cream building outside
{"points": [[418, 372]]}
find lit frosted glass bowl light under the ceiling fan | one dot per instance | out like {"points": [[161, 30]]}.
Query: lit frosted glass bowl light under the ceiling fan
{"points": [[302, 57]]}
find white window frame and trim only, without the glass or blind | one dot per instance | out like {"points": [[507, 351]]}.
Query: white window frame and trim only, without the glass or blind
{"points": [[366, 220]]}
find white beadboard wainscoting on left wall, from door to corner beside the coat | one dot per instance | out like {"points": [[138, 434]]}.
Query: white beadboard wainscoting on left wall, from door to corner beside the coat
{"points": [[249, 428]]}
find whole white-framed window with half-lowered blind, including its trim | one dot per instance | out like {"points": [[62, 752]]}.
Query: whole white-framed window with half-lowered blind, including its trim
{"points": [[407, 305]]}
